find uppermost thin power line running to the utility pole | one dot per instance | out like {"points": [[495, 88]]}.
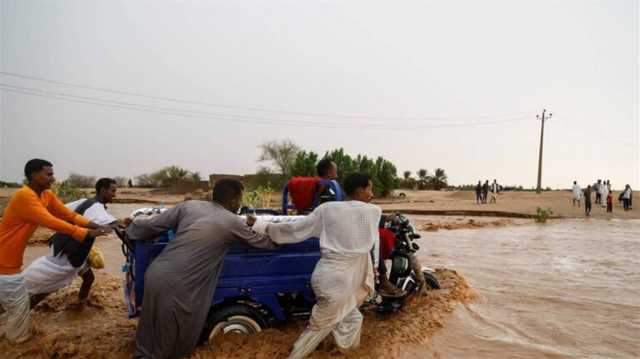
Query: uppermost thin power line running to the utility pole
{"points": [[248, 108]]}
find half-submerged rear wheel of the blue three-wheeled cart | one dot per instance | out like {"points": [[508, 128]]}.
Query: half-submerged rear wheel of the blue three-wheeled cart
{"points": [[235, 318]]}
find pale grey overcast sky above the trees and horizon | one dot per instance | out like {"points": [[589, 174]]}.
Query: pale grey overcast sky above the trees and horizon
{"points": [[426, 84]]}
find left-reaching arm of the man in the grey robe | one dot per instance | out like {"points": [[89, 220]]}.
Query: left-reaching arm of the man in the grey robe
{"points": [[150, 227]]}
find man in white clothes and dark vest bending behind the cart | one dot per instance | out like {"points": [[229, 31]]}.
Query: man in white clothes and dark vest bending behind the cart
{"points": [[67, 259]]}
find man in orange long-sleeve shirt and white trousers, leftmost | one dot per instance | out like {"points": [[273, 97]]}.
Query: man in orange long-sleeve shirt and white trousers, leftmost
{"points": [[33, 205]]}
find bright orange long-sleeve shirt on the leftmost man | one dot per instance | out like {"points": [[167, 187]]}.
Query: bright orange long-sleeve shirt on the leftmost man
{"points": [[24, 212]]}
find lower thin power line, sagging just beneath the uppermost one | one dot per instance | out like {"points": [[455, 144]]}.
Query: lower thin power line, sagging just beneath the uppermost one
{"points": [[227, 117]]}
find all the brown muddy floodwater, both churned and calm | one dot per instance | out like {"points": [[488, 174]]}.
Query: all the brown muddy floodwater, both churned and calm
{"points": [[565, 289]]}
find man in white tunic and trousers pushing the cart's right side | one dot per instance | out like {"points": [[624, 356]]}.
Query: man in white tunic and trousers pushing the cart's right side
{"points": [[344, 276]]}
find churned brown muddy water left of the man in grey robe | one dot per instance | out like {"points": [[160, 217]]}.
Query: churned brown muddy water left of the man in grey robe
{"points": [[65, 328]]}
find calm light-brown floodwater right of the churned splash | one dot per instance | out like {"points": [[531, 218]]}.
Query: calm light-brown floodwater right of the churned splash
{"points": [[567, 289]]}
